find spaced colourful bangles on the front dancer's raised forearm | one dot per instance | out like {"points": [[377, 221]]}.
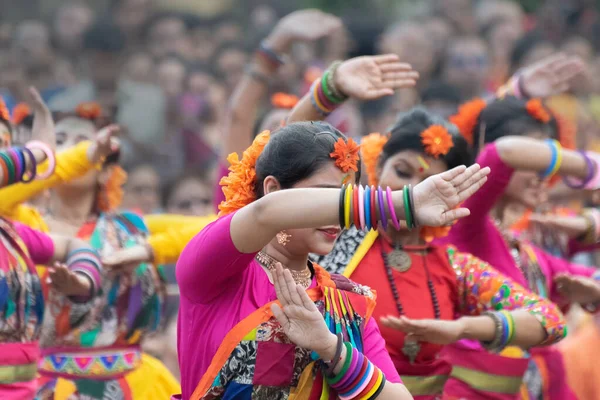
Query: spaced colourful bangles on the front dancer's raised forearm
{"points": [[365, 207]]}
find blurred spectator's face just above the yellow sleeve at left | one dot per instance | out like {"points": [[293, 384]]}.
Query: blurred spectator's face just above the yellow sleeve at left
{"points": [[142, 190]]}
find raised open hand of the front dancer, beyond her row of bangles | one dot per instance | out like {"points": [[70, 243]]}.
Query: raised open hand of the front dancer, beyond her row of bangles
{"points": [[437, 197]]}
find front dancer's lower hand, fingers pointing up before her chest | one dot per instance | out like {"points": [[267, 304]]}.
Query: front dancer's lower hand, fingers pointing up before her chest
{"points": [[299, 317]]}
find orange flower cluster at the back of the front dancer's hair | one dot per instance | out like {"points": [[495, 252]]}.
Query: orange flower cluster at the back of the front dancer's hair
{"points": [[239, 186]]}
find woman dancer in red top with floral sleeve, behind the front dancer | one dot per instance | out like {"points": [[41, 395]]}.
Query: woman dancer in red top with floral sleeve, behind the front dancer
{"points": [[395, 263]]}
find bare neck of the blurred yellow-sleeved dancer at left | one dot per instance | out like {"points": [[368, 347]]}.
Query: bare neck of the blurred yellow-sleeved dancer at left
{"points": [[72, 204]]}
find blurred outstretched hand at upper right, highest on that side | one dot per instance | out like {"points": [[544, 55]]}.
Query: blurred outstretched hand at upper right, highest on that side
{"points": [[552, 75]]}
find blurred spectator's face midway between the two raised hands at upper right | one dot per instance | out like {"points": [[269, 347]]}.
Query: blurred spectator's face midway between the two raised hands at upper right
{"points": [[466, 66]]}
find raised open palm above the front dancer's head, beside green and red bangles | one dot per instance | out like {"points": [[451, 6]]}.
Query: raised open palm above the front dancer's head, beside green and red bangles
{"points": [[372, 77]]}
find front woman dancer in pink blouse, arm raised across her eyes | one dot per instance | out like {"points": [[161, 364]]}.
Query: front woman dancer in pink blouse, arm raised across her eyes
{"points": [[288, 207]]}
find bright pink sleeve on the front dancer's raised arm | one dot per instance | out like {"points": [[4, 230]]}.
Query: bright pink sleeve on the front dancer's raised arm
{"points": [[210, 263]]}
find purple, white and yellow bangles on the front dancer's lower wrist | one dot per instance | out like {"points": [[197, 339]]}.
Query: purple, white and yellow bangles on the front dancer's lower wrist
{"points": [[358, 378]]}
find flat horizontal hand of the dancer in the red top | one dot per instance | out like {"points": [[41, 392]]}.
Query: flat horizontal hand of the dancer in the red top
{"points": [[426, 330]]}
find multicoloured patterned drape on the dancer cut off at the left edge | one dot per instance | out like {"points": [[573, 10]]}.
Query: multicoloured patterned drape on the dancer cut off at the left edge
{"points": [[21, 297]]}
